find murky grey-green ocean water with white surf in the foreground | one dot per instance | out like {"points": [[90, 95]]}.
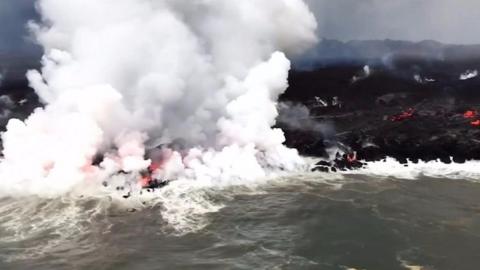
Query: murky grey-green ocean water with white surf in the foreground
{"points": [[313, 221]]}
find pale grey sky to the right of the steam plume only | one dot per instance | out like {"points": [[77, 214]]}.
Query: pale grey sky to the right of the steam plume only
{"points": [[442, 20]]}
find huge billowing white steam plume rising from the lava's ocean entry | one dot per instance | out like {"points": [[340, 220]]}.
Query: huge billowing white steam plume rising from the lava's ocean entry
{"points": [[122, 74]]}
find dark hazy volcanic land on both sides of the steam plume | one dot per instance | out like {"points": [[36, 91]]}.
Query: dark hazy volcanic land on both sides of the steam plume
{"points": [[412, 106]]}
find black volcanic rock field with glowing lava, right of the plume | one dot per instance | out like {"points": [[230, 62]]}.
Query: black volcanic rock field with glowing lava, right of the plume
{"points": [[391, 112]]}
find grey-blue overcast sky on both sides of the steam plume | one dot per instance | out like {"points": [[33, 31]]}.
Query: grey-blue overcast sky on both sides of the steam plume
{"points": [[448, 21]]}
